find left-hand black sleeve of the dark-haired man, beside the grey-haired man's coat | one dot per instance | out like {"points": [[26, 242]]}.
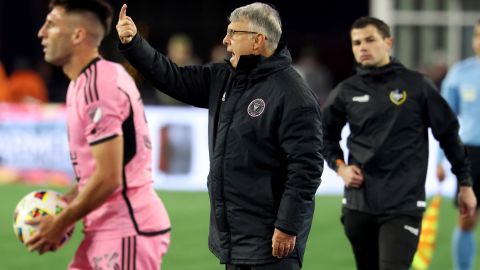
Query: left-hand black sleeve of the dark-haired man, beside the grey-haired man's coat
{"points": [[334, 119]]}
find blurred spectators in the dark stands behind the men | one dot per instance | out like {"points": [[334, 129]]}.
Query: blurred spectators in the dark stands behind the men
{"points": [[27, 83]]}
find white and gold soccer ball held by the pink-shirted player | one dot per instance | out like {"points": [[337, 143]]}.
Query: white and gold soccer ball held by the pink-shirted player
{"points": [[35, 204]]}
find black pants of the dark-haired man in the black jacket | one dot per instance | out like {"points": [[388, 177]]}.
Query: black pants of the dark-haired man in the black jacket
{"points": [[382, 242]]}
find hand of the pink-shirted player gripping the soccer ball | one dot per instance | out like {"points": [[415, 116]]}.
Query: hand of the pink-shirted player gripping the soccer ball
{"points": [[48, 235]]}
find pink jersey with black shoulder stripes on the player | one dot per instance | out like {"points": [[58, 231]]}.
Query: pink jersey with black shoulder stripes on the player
{"points": [[102, 103]]}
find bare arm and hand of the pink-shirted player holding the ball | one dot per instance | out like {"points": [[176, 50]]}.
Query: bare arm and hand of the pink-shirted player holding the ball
{"points": [[106, 178]]}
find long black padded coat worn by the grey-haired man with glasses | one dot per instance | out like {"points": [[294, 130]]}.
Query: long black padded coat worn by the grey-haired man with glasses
{"points": [[265, 141]]}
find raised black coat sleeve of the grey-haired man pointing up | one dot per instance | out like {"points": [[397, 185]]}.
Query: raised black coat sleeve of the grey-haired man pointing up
{"points": [[188, 84]]}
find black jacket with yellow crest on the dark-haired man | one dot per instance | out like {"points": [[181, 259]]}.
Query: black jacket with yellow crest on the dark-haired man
{"points": [[389, 111]]}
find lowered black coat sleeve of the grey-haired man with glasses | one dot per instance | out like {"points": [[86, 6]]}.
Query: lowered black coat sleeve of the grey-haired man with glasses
{"points": [[300, 136]]}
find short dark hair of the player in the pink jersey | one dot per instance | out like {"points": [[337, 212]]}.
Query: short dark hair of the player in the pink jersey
{"points": [[100, 8]]}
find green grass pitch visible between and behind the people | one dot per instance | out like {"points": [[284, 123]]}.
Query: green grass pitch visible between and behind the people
{"points": [[327, 247]]}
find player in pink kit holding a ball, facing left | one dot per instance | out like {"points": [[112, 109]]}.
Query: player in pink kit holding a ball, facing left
{"points": [[125, 223]]}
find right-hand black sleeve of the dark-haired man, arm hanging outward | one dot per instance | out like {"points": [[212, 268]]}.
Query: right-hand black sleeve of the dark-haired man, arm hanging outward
{"points": [[445, 127]]}
